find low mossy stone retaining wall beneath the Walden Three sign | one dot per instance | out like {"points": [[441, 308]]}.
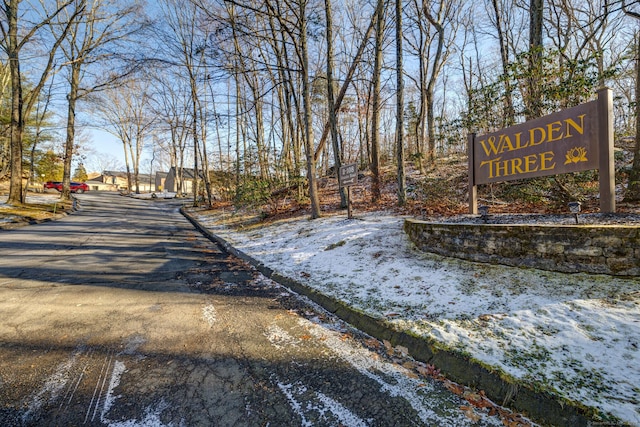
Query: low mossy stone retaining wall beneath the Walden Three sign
{"points": [[606, 249]]}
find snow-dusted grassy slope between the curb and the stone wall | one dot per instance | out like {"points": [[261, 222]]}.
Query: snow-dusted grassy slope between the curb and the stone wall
{"points": [[576, 334]]}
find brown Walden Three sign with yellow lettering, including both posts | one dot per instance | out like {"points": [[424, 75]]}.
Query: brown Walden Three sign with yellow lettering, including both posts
{"points": [[572, 140]]}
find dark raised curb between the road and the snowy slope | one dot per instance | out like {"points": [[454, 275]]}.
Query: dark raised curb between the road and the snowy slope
{"points": [[540, 406]]}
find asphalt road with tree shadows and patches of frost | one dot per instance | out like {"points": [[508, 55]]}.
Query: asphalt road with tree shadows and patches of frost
{"points": [[122, 314]]}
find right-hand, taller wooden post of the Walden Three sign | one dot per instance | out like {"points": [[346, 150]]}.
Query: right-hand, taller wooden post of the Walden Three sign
{"points": [[605, 147]]}
